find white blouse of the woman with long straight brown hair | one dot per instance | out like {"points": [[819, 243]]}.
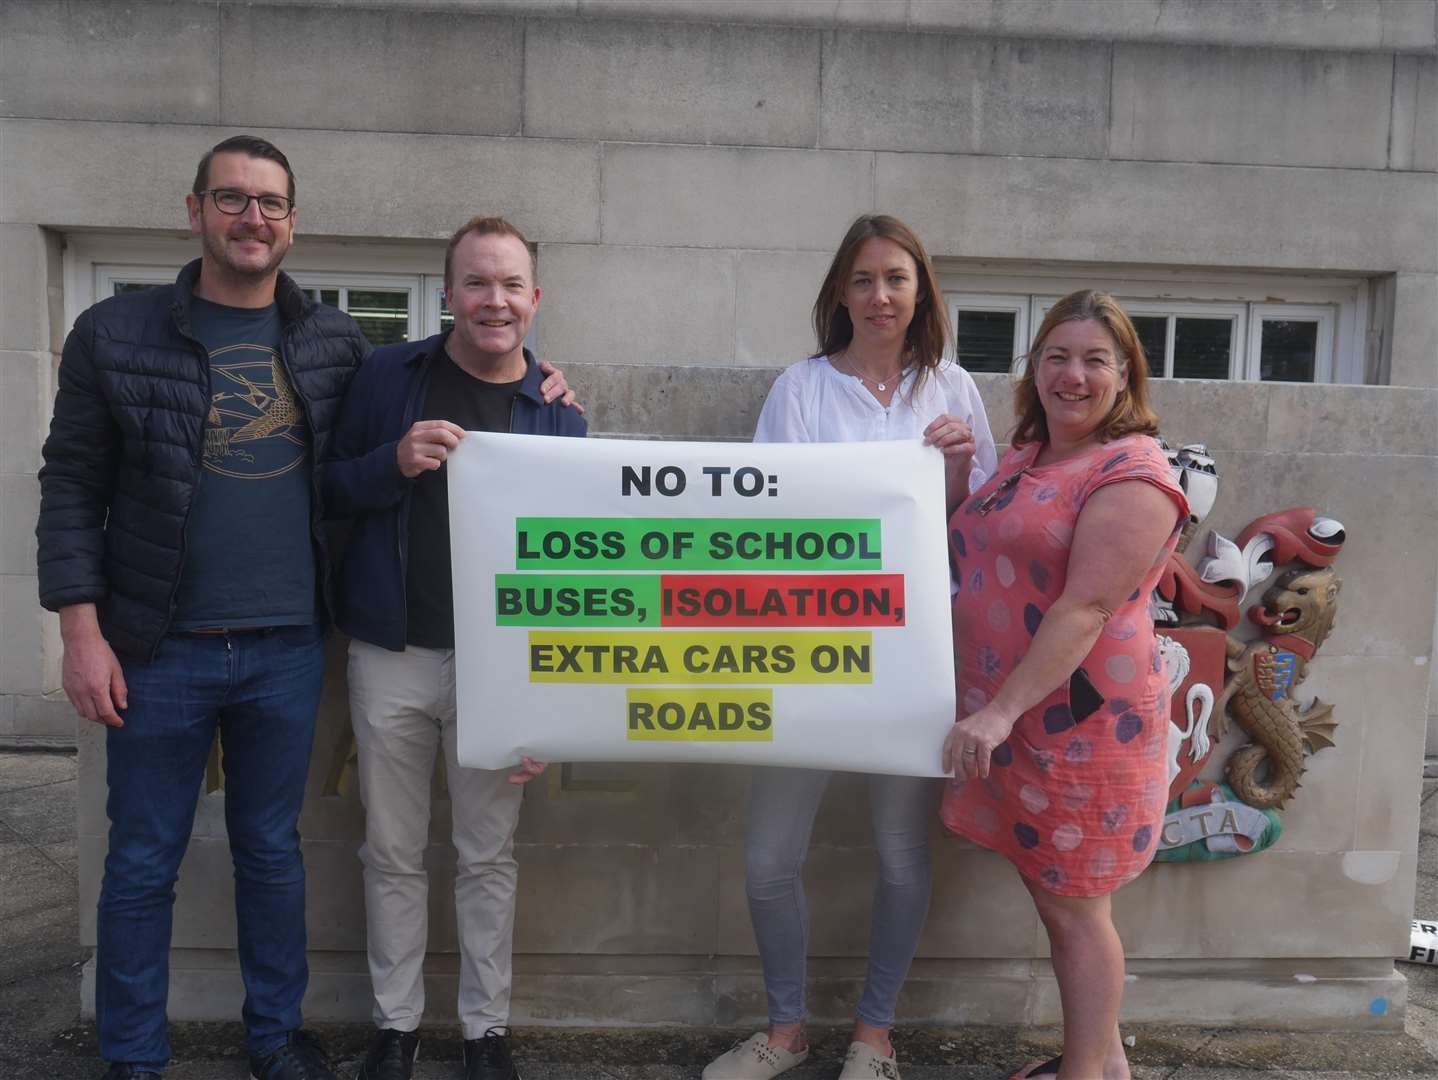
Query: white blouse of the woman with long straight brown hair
{"points": [[813, 402]]}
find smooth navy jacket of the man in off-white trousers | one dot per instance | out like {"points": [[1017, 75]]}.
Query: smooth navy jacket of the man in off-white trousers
{"points": [[363, 480]]}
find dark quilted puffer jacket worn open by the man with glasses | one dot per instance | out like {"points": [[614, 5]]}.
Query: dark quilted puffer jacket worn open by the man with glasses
{"points": [[123, 458]]}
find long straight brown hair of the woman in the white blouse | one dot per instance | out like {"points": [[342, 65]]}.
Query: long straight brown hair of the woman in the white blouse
{"points": [[930, 330]]}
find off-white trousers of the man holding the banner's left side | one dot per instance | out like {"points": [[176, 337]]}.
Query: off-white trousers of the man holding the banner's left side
{"points": [[403, 713]]}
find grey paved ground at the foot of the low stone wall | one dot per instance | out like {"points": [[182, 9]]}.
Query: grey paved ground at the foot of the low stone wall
{"points": [[44, 1039]]}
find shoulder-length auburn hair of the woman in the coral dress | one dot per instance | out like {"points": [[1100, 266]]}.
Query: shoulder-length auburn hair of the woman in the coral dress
{"points": [[1131, 413]]}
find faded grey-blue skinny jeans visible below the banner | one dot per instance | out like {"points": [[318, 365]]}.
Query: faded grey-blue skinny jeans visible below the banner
{"points": [[783, 805]]}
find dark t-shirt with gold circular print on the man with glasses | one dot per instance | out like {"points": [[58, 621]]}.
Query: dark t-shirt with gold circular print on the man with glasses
{"points": [[249, 554]]}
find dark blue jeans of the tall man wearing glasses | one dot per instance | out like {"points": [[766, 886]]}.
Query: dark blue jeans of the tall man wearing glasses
{"points": [[261, 691]]}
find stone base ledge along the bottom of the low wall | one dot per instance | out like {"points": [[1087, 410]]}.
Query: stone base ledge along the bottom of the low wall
{"points": [[1240, 997]]}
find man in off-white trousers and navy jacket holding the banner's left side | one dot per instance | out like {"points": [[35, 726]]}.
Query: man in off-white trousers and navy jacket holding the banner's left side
{"points": [[406, 411]]}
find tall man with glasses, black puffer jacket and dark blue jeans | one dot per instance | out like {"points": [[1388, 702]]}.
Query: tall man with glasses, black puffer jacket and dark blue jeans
{"points": [[180, 543]]}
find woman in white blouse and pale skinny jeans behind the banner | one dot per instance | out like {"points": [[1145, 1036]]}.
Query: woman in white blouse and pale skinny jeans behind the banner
{"points": [[879, 373]]}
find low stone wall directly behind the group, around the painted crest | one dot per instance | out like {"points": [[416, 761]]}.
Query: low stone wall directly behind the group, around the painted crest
{"points": [[632, 884]]}
